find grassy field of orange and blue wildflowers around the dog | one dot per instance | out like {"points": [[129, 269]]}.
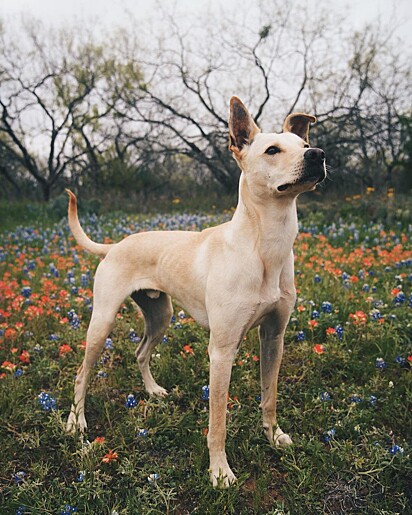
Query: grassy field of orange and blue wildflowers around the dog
{"points": [[344, 395]]}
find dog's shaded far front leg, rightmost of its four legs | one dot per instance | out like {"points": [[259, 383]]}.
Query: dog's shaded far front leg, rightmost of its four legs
{"points": [[271, 333]]}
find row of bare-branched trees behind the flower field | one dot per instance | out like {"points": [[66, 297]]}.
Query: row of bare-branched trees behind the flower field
{"points": [[140, 112]]}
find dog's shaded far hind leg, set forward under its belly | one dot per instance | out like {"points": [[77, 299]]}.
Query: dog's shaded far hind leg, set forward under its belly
{"points": [[157, 312]]}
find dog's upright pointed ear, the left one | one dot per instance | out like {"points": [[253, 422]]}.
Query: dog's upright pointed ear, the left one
{"points": [[242, 128]]}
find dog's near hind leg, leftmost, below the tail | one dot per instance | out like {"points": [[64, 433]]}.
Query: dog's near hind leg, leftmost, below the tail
{"points": [[108, 296]]}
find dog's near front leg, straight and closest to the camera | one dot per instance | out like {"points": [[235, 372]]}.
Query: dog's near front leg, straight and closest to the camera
{"points": [[221, 355]]}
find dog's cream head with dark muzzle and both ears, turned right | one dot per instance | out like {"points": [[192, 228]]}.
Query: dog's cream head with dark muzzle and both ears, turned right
{"points": [[275, 164]]}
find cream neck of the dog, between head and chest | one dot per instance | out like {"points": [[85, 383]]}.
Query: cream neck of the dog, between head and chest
{"points": [[271, 226]]}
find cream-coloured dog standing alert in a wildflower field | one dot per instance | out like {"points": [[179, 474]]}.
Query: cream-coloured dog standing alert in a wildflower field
{"points": [[230, 278]]}
